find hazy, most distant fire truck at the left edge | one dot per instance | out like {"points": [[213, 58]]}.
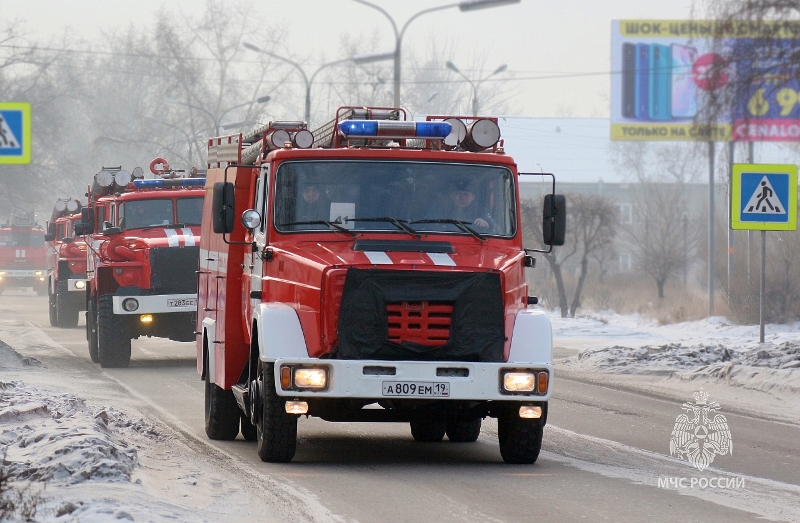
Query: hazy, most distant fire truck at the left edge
{"points": [[23, 254]]}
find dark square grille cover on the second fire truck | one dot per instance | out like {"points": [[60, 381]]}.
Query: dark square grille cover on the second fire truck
{"points": [[173, 270]]}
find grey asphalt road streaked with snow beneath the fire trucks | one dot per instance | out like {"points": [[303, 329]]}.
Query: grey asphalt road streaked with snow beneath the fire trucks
{"points": [[605, 457]]}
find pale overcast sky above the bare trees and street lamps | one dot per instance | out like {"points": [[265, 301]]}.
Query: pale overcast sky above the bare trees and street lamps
{"points": [[535, 38]]}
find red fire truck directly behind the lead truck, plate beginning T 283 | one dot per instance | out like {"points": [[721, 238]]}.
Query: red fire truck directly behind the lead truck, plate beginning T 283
{"points": [[143, 244]]}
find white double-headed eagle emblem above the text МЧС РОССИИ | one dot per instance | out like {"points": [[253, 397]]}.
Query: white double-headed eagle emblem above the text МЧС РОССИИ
{"points": [[696, 437]]}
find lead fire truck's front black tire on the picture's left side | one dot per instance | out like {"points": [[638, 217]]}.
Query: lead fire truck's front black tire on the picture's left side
{"points": [[276, 430]]}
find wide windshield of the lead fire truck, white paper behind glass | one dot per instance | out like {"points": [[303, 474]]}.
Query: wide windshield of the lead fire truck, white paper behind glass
{"points": [[397, 196]]}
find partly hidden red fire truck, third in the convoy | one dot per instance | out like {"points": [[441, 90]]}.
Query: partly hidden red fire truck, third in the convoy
{"points": [[66, 265]]}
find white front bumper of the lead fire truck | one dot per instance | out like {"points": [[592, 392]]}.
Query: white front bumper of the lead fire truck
{"points": [[358, 379]]}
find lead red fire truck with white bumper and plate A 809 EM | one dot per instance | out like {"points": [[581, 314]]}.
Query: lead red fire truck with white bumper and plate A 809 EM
{"points": [[377, 274]]}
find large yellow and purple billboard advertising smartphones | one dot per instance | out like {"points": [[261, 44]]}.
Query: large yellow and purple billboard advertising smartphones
{"points": [[666, 71]]}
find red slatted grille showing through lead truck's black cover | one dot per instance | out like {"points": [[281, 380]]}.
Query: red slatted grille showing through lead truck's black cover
{"points": [[425, 323]]}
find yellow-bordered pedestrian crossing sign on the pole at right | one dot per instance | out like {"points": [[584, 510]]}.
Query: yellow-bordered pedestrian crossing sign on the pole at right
{"points": [[764, 197]]}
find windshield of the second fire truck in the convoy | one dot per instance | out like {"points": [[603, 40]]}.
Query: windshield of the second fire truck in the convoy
{"points": [[139, 214]]}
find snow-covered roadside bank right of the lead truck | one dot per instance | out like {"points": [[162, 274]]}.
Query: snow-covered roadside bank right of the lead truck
{"points": [[761, 379]]}
